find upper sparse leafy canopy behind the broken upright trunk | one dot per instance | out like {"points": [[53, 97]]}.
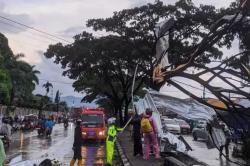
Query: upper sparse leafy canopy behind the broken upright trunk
{"points": [[137, 26]]}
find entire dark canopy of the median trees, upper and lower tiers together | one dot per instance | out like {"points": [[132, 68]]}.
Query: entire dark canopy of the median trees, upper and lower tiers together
{"points": [[103, 67]]}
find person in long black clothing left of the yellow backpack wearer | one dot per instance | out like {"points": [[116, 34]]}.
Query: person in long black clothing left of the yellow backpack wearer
{"points": [[136, 122]]}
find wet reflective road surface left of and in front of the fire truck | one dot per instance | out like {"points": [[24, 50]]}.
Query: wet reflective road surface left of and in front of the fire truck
{"points": [[28, 148]]}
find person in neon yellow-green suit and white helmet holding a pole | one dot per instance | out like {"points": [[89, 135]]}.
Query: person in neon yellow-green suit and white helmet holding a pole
{"points": [[111, 138]]}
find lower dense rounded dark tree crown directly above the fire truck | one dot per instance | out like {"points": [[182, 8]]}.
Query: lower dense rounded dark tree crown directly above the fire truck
{"points": [[102, 67]]}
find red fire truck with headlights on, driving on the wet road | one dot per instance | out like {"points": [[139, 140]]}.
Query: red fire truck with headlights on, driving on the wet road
{"points": [[93, 124]]}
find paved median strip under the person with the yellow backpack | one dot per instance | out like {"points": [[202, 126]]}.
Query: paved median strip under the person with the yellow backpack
{"points": [[127, 146]]}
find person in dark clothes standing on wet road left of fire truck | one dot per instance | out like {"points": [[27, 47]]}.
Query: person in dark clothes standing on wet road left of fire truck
{"points": [[77, 145]]}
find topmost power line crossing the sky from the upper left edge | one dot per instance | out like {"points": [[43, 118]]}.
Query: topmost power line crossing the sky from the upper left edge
{"points": [[35, 29]]}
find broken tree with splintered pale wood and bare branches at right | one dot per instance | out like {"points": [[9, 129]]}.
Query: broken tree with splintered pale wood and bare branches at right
{"points": [[233, 72]]}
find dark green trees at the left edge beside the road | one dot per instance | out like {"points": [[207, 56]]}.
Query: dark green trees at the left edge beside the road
{"points": [[18, 78]]}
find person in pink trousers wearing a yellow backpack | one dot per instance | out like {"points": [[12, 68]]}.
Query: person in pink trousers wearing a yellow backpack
{"points": [[149, 130]]}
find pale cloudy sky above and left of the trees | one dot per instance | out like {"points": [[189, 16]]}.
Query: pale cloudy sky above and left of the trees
{"points": [[63, 18]]}
